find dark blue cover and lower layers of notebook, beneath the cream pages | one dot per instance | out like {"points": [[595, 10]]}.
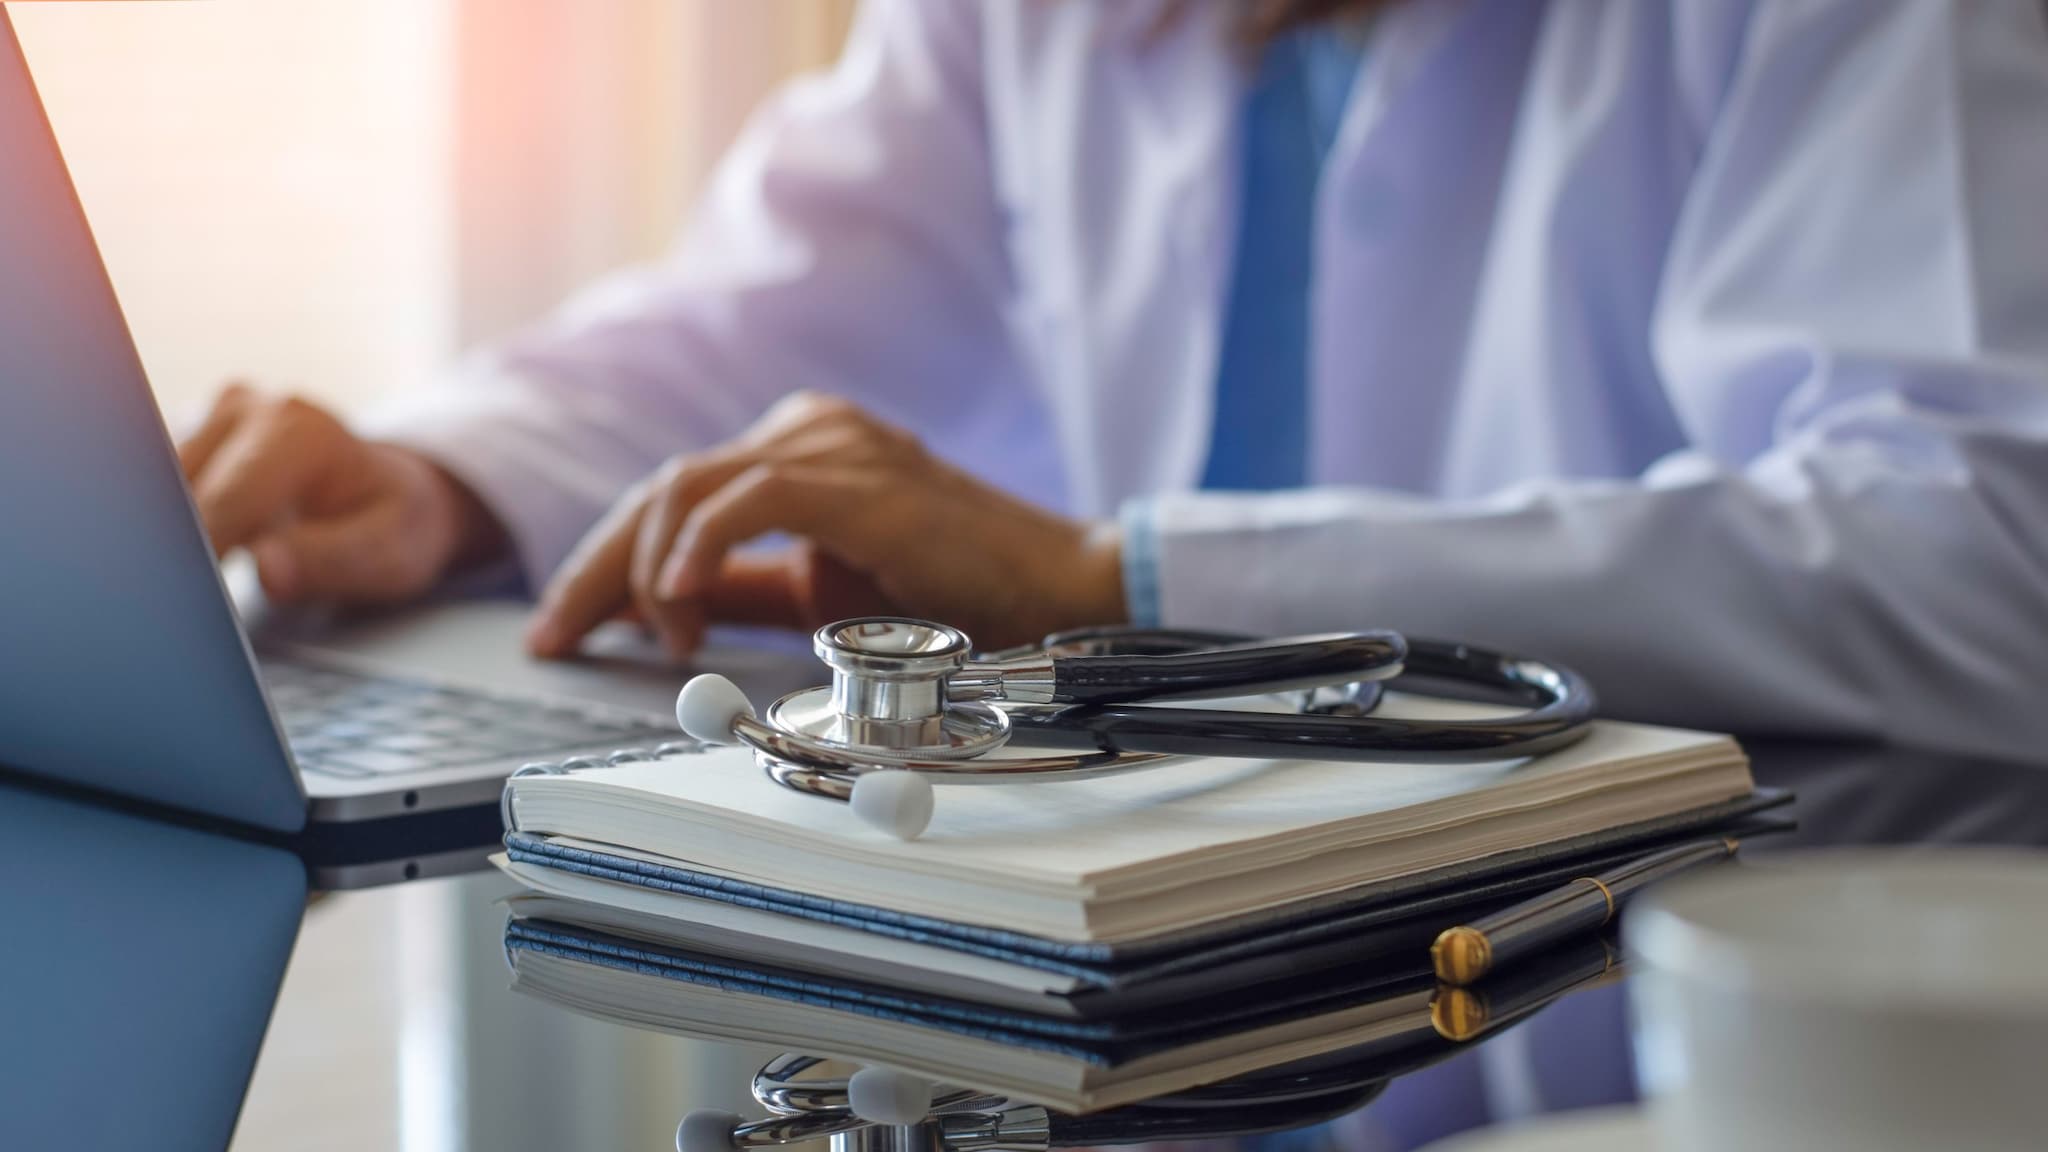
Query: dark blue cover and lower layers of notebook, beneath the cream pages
{"points": [[1390, 925]]}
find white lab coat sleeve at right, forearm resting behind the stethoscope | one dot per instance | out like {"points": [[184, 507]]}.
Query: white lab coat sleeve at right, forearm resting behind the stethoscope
{"points": [[1854, 329]]}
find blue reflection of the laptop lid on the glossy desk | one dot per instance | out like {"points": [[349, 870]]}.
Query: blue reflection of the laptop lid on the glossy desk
{"points": [[138, 971]]}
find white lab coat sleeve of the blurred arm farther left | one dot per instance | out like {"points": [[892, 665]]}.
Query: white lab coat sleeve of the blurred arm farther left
{"points": [[849, 243]]}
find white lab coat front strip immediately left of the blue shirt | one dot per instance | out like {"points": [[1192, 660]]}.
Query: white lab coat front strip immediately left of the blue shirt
{"points": [[1156, 249]]}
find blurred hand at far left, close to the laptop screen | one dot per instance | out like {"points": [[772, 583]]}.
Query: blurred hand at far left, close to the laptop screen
{"points": [[327, 516]]}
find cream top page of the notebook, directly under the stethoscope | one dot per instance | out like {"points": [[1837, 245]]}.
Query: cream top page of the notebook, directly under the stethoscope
{"points": [[1070, 833]]}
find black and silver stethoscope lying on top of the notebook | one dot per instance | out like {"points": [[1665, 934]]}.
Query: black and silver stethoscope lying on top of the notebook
{"points": [[910, 708]]}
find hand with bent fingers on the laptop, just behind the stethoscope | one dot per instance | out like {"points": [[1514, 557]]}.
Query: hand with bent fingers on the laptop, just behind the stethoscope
{"points": [[882, 526]]}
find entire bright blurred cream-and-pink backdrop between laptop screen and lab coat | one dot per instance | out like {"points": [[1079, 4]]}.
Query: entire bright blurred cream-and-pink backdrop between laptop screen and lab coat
{"points": [[335, 196]]}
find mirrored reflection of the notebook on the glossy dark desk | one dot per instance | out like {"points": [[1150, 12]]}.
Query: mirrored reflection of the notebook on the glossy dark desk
{"points": [[1381, 1024]]}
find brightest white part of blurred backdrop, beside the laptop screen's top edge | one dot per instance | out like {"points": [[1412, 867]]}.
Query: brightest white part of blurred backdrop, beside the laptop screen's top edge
{"points": [[269, 183]]}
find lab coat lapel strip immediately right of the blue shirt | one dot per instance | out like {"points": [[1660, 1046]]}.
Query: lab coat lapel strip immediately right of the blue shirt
{"points": [[1416, 165]]}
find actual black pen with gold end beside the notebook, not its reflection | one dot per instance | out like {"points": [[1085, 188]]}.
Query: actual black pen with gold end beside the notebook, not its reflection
{"points": [[1469, 952]]}
